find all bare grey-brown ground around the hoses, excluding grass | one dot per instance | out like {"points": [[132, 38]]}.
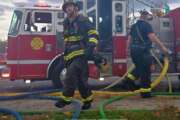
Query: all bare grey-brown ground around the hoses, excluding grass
{"points": [[46, 105]]}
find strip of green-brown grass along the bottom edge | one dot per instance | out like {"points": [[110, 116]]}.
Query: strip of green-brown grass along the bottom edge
{"points": [[166, 113]]}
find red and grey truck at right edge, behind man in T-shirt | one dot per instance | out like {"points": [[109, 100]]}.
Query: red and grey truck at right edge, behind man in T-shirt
{"points": [[167, 29]]}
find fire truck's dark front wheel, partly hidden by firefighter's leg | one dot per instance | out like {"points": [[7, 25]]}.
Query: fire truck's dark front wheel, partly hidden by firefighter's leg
{"points": [[56, 75]]}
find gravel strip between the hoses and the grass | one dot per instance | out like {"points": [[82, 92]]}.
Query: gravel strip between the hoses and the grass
{"points": [[129, 103]]}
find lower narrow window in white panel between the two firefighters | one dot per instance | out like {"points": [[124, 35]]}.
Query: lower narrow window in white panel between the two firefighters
{"points": [[119, 25]]}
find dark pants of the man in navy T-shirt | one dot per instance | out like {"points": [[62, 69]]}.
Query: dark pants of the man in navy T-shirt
{"points": [[142, 60]]}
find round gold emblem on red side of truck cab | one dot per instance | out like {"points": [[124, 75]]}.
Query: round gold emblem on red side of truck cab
{"points": [[37, 43]]}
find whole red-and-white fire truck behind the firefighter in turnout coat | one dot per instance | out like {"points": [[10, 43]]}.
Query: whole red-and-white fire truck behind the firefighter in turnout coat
{"points": [[35, 41]]}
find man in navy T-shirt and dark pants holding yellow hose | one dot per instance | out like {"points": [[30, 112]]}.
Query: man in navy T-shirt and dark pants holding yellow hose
{"points": [[140, 42]]}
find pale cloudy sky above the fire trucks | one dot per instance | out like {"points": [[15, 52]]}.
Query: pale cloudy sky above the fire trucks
{"points": [[6, 7]]}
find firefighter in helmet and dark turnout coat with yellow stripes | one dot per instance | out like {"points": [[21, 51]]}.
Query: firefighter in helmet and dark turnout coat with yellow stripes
{"points": [[80, 39]]}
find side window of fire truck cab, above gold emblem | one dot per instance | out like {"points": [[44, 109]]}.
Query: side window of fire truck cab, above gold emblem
{"points": [[42, 22]]}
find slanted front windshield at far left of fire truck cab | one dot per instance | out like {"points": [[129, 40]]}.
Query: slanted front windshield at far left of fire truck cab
{"points": [[15, 23]]}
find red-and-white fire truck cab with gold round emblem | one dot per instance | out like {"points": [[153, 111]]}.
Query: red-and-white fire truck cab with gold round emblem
{"points": [[34, 39]]}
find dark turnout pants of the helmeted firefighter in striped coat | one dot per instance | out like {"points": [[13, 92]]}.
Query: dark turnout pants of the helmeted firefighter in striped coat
{"points": [[77, 77]]}
